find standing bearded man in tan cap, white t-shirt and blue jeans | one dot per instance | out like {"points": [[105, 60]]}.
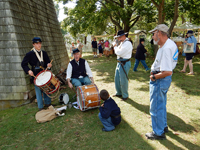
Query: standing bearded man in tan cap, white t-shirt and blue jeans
{"points": [[160, 80]]}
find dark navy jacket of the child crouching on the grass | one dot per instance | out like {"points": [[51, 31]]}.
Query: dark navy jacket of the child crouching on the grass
{"points": [[111, 109]]}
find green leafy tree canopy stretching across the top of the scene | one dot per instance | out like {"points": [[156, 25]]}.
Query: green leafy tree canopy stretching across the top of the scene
{"points": [[108, 16]]}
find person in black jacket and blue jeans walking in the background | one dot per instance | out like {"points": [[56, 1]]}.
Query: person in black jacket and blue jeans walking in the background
{"points": [[140, 56]]}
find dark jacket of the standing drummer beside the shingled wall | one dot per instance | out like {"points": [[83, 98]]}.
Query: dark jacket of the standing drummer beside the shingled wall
{"points": [[32, 59]]}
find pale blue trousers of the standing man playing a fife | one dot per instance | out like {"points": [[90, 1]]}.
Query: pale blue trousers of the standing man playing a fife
{"points": [[121, 81]]}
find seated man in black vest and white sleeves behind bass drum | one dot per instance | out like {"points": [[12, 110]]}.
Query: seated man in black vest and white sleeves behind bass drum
{"points": [[78, 71]]}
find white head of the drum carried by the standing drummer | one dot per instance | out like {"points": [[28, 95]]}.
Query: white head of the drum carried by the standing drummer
{"points": [[43, 78]]}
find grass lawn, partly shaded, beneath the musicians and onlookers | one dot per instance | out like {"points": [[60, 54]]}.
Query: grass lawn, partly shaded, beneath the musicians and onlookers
{"points": [[82, 130]]}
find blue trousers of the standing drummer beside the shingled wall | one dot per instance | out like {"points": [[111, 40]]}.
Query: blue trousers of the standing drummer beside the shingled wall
{"points": [[47, 100]]}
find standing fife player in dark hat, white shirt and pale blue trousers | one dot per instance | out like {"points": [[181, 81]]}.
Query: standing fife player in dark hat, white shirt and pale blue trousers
{"points": [[124, 53]]}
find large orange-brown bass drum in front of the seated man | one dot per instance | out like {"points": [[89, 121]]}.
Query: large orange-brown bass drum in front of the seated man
{"points": [[88, 97]]}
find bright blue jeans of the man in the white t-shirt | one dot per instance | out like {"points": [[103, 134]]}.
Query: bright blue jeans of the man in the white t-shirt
{"points": [[158, 101]]}
